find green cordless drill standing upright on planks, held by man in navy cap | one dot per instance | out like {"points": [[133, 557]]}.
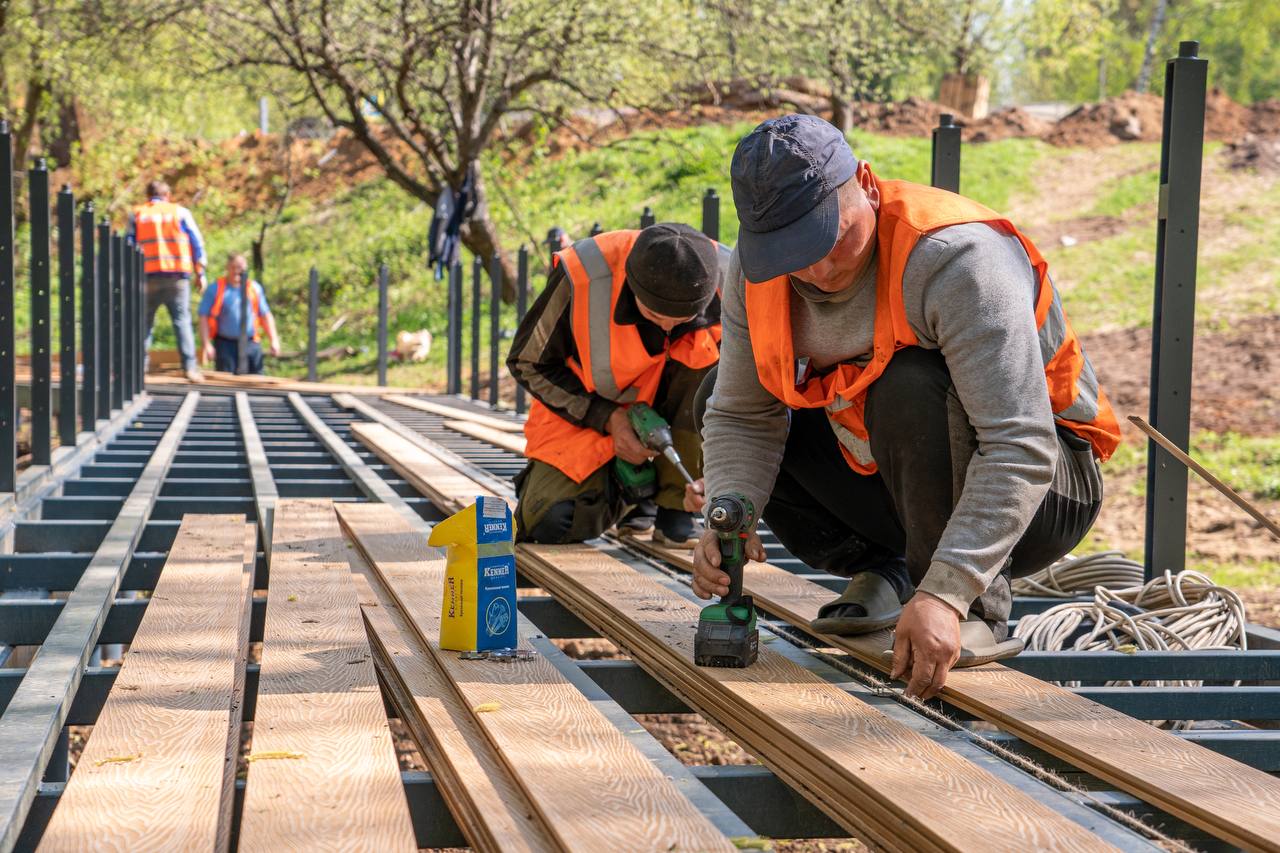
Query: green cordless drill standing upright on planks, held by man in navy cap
{"points": [[726, 631]]}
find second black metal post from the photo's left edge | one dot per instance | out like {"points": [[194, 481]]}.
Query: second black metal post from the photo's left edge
{"points": [[42, 318]]}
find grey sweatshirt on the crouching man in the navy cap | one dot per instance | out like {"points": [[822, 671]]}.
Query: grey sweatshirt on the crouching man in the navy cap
{"points": [[970, 291]]}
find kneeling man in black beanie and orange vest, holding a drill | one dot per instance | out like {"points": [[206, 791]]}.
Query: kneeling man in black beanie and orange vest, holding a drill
{"points": [[627, 317]]}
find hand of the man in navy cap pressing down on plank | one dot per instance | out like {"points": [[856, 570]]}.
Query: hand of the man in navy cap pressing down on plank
{"points": [[927, 644]]}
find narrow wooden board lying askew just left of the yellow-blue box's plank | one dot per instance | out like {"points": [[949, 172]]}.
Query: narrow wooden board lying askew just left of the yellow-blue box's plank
{"points": [[491, 809]]}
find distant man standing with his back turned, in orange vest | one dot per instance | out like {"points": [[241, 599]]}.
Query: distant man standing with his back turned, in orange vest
{"points": [[175, 252]]}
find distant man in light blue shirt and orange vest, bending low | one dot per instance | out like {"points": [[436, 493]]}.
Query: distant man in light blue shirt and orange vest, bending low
{"points": [[221, 321]]}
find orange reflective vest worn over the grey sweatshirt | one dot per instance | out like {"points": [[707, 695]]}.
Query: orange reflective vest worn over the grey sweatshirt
{"points": [[907, 213]]}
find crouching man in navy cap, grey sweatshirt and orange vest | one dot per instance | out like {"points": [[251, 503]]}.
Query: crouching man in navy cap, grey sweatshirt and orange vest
{"points": [[903, 395]]}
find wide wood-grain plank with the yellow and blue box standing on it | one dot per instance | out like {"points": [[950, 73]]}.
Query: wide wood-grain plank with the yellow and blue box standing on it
{"points": [[592, 788]]}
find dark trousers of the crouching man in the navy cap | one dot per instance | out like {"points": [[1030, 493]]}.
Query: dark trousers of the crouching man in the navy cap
{"points": [[844, 523]]}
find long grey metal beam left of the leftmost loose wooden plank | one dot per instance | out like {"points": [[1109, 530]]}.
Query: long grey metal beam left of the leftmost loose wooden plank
{"points": [[35, 717]]}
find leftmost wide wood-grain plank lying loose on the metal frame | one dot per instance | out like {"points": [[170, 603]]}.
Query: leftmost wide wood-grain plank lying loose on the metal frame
{"points": [[156, 774]]}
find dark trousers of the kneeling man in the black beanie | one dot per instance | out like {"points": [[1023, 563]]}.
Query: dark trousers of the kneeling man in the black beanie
{"points": [[554, 509]]}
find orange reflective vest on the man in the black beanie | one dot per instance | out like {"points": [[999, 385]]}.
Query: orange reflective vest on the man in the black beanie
{"points": [[612, 361]]}
